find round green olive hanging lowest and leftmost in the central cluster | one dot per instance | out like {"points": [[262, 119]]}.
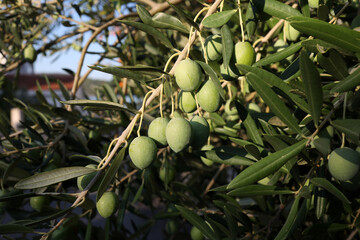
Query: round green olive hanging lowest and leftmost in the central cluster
{"points": [[142, 151]]}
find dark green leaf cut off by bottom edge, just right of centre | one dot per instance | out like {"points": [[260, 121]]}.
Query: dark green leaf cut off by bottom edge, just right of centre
{"points": [[197, 221]]}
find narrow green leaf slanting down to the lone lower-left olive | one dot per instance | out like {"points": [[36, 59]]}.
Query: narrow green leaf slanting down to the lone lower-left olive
{"points": [[110, 173]]}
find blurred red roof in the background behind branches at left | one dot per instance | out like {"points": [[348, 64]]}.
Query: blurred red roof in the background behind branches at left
{"points": [[29, 81]]}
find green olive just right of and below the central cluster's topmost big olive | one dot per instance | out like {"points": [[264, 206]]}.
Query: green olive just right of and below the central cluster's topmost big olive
{"points": [[208, 97]]}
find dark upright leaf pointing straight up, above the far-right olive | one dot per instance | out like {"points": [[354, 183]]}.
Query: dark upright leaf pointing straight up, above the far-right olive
{"points": [[312, 85]]}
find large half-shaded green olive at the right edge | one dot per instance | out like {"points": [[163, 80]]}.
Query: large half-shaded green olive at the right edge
{"points": [[344, 163]]}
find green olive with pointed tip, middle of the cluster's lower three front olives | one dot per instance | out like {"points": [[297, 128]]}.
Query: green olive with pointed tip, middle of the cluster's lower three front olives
{"points": [[178, 134]]}
